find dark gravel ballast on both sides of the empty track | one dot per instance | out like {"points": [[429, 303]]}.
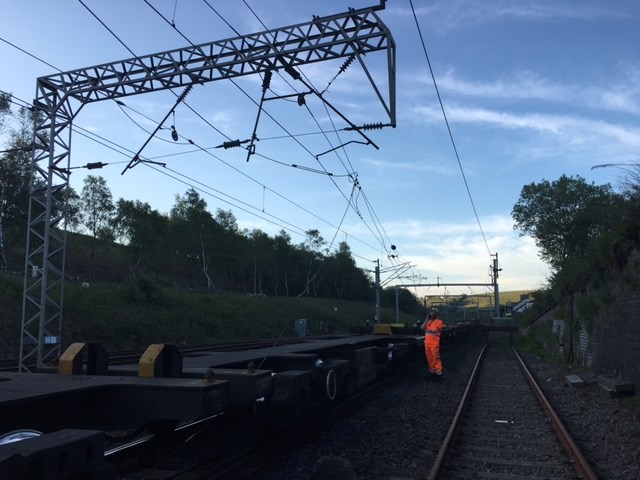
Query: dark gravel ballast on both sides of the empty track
{"points": [[397, 435]]}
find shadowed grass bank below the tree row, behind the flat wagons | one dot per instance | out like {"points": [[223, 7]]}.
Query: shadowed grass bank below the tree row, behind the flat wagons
{"points": [[135, 314]]}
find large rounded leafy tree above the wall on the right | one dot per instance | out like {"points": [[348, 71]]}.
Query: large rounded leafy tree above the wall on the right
{"points": [[564, 216]]}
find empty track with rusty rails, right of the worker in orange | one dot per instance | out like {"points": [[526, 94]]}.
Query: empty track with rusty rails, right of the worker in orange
{"points": [[505, 428]]}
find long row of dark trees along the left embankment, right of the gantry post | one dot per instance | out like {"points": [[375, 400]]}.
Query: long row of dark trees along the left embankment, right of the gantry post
{"points": [[190, 247]]}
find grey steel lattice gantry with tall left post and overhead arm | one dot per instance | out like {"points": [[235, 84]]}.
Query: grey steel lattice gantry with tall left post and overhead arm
{"points": [[60, 97]]}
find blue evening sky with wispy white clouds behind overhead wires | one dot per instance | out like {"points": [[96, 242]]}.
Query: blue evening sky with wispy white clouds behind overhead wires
{"points": [[531, 91]]}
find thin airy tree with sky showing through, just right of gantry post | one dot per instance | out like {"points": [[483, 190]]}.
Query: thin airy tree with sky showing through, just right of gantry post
{"points": [[96, 213]]}
